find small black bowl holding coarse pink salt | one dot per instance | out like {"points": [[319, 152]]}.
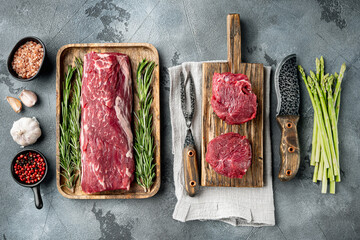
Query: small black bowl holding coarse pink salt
{"points": [[12, 53]]}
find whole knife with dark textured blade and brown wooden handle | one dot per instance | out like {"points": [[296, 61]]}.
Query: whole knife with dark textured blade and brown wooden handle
{"points": [[288, 98]]}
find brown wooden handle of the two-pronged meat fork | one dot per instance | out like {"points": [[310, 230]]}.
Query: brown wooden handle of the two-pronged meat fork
{"points": [[191, 173]]}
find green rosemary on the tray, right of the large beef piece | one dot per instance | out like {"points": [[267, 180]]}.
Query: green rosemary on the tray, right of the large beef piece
{"points": [[144, 142]]}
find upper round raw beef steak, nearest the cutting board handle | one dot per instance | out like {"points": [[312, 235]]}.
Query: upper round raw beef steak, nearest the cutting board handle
{"points": [[233, 100]]}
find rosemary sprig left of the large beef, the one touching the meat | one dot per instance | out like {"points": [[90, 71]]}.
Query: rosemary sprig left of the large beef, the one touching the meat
{"points": [[75, 112]]}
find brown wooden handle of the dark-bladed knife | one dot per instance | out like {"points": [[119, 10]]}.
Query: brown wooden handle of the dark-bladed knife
{"points": [[289, 147]]}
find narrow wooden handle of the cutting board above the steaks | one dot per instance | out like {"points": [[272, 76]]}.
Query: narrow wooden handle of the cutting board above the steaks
{"points": [[234, 42]]}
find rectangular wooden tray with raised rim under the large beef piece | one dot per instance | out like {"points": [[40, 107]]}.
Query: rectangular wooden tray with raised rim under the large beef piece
{"points": [[136, 52]]}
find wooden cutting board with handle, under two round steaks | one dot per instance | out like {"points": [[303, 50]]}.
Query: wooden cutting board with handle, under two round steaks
{"points": [[213, 126]]}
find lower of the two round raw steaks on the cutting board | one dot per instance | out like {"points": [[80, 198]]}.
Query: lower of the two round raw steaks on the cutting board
{"points": [[229, 155]]}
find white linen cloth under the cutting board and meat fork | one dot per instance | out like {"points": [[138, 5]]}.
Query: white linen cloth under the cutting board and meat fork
{"points": [[236, 206]]}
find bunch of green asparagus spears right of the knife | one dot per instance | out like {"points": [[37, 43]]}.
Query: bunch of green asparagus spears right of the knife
{"points": [[325, 98]]}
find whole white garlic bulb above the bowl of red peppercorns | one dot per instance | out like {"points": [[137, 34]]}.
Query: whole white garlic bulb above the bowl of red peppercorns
{"points": [[26, 131]]}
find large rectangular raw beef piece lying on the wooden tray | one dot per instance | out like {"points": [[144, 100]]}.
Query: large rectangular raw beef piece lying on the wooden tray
{"points": [[106, 139]]}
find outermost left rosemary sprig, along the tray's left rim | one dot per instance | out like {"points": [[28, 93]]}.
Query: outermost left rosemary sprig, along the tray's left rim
{"points": [[64, 144]]}
